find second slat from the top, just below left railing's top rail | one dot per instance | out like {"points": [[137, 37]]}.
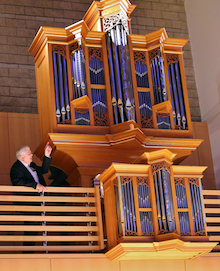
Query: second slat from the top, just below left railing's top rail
{"points": [[46, 199]]}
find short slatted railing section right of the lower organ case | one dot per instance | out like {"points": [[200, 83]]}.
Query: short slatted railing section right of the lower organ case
{"points": [[211, 200]]}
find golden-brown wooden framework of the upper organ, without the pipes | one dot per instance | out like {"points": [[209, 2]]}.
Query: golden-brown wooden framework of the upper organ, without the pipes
{"points": [[77, 149]]}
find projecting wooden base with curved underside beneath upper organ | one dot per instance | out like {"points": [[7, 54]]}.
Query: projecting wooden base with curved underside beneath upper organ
{"points": [[125, 145]]}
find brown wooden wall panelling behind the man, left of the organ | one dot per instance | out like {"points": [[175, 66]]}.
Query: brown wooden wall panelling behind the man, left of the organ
{"points": [[16, 130]]}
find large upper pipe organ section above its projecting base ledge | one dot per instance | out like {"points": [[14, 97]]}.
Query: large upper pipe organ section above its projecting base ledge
{"points": [[116, 76]]}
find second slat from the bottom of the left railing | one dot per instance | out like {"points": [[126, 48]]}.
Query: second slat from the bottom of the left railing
{"points": [[15, 238]]}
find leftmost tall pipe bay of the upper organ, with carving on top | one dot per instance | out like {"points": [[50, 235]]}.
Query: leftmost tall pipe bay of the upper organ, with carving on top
{"points": [[61, 84]]}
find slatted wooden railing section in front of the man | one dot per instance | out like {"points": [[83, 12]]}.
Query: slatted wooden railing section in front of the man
{"points": [[63, 219]]}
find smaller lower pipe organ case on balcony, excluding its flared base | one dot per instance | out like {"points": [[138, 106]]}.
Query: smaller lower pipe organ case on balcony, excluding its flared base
{"points": [[153, 201]]}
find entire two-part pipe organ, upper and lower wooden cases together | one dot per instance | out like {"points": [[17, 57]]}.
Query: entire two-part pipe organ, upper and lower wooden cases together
{"points": [[113, 101]]}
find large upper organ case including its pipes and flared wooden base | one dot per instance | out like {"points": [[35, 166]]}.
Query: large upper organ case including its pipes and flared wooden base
{"points": [[106, 95]]}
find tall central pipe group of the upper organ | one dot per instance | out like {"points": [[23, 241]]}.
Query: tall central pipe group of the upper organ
{"points": [[120, 75]]}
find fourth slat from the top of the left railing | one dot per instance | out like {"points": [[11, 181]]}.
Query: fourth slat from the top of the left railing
{"points": [[48, 218]]}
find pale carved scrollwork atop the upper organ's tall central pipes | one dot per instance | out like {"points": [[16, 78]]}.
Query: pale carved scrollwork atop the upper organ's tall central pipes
{"points": [[112, 21]]}
